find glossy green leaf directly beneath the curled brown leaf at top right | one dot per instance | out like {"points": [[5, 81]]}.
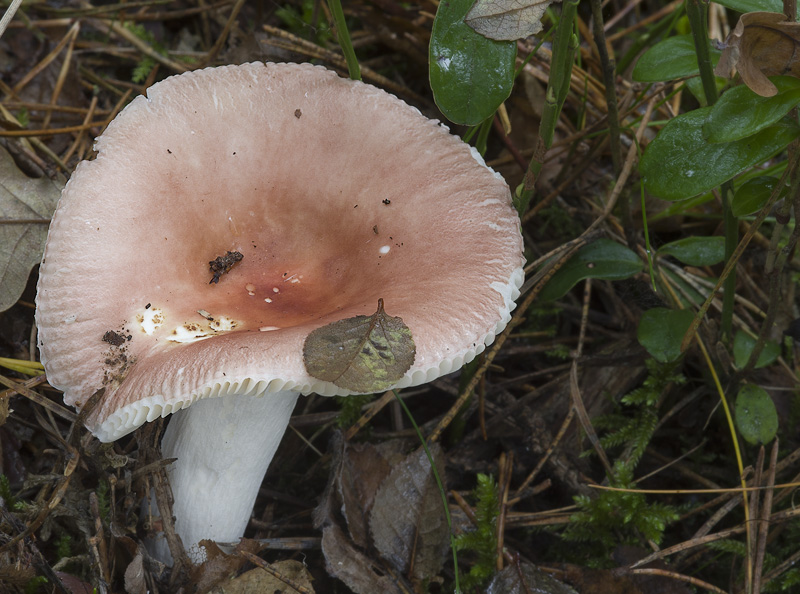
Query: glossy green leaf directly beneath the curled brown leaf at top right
{"points": [[740, 112]]}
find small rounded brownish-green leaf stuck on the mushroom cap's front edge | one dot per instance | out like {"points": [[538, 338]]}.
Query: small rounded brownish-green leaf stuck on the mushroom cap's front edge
{"points": [[362, 354]]}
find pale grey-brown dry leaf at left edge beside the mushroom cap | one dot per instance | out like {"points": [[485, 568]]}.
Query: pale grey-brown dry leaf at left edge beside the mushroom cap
{"points": [[22, 198]]}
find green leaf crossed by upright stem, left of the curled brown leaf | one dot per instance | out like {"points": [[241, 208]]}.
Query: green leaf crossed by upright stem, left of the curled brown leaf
{"points": [[669, 59]]}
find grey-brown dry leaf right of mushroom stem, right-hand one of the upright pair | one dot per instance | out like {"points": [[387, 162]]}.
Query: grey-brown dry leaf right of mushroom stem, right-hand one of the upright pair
{"points": [[407, 522]]}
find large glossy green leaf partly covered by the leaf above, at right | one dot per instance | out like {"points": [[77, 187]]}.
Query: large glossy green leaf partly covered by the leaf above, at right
{"points": [[681, 163]]}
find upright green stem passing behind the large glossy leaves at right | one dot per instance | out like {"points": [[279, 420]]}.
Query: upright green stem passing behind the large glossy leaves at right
{"points": [[697, 12]]}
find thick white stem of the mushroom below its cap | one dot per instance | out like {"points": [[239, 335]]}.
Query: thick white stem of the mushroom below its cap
{"points": [[223, 447]]}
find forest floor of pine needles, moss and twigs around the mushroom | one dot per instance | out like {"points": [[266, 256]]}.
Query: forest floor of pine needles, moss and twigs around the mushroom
{"points": [[566, 404]]}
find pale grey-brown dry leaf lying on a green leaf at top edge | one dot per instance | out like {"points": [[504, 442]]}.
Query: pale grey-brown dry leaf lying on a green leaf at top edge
{"points": [[507, 20]]}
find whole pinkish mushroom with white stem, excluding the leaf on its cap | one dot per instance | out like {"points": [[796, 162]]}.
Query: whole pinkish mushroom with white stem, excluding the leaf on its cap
{"points": [[333, 193]]}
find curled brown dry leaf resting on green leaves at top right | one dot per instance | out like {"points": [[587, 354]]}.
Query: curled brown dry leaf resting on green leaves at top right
{"points": [[762, 44]]}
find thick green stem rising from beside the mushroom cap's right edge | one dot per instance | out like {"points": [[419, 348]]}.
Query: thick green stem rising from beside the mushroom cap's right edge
{"points": [[564, 44]]}
